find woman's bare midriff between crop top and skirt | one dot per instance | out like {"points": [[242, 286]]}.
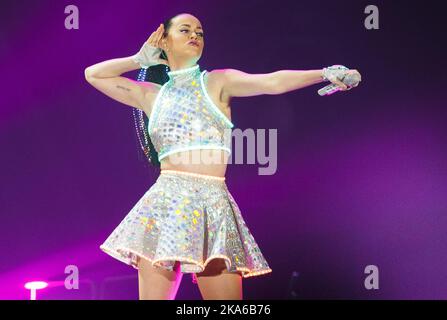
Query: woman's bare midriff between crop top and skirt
{"points": [[216, 168]]}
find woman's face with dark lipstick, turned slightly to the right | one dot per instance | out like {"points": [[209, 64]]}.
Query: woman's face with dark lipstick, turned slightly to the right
{"points": [[184, 30]]}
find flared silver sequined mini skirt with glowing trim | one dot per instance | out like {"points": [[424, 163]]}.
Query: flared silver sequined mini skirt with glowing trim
{"points": [[191, 218]]}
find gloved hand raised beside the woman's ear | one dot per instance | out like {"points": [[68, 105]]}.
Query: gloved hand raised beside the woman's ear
{"points": [[149, 53]]}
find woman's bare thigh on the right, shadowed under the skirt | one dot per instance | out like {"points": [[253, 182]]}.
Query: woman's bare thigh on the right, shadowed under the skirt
{"points": [[216, 283]]}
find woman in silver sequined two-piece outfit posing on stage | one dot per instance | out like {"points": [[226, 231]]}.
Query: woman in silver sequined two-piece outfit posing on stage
{"points": [[188, 221]]}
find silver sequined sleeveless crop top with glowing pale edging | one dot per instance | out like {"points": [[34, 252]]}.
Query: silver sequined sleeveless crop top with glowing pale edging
{"points": [[184, 117]]}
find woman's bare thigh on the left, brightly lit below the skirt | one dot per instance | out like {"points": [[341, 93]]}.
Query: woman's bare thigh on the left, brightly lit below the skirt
{"points": [[158, 283]]}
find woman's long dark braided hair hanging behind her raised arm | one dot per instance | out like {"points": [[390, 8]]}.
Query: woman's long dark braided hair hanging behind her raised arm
{"points": [[157, 74]]}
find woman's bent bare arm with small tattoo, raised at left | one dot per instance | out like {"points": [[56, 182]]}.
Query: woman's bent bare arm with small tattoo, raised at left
{"points": [[106, 77]]}
